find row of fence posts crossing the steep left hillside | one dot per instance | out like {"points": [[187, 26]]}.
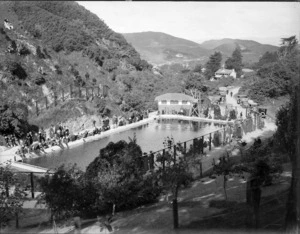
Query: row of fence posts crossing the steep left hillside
{"points": [[61, 95]]}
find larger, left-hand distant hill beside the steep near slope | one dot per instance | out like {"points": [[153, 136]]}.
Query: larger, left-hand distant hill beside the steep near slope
{"points": [[158, 48]]}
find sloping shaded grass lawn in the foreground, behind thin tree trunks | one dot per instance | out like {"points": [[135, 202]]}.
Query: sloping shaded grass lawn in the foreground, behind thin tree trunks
{"points": [[202, 208]]}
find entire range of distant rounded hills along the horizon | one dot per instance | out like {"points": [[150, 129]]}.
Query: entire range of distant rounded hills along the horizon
{"points": [[160, 48]]}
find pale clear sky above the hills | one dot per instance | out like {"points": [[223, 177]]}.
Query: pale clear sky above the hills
{"points": [[265, 22]]}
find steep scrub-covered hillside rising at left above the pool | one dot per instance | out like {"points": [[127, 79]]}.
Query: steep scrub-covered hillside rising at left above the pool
{"points": [[53, 45]]}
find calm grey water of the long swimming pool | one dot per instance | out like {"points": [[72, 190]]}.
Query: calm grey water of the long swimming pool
{"points": [[149, 136]]}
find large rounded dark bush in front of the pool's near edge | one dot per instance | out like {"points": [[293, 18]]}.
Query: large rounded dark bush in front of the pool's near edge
{"points": [[119, 177]]}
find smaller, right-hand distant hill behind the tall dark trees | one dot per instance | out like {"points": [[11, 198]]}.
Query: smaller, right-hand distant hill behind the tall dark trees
{"points": [[251, 50]]}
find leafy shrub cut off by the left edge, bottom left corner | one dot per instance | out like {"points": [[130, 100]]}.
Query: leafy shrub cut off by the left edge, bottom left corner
{"points": [[11, 203]]}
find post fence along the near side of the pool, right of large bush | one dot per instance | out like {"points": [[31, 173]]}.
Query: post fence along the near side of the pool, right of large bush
{"points": [[198, 147]]}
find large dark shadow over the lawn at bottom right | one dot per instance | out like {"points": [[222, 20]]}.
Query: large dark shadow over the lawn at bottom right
{"points": [[234, 216]]}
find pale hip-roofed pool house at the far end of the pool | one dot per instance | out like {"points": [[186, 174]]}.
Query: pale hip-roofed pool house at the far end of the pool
{"points": [[175, 103]]}
